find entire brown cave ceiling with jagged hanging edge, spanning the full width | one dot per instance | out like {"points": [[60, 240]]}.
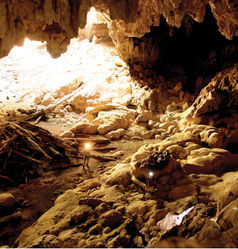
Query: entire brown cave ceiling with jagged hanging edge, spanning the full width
{"points": [[57, 21]]}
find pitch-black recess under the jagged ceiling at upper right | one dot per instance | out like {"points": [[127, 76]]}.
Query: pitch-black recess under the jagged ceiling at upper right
{"points": [[186, 53]]}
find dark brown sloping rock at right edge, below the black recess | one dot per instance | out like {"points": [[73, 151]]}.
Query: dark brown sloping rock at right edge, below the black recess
{"points": [[217, 103]]}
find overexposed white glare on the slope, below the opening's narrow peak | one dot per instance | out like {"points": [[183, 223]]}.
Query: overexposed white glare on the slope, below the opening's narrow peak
{"points": [[30, 72]]}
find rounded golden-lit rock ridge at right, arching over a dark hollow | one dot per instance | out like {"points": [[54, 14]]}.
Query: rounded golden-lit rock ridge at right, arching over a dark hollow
{"points": [[186, 148]]}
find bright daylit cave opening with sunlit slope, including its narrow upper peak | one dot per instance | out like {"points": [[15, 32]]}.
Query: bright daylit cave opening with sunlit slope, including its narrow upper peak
{"points": [[89, 74]]}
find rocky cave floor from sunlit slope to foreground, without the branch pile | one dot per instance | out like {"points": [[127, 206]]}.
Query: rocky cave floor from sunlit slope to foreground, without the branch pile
{"points": [[193, 201]]}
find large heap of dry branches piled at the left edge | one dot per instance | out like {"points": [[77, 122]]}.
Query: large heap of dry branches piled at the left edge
{"points": [[26, 149]]}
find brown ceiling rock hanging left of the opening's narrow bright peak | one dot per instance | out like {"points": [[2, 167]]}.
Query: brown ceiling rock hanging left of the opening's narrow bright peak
{"points": [[53, 21]]}
